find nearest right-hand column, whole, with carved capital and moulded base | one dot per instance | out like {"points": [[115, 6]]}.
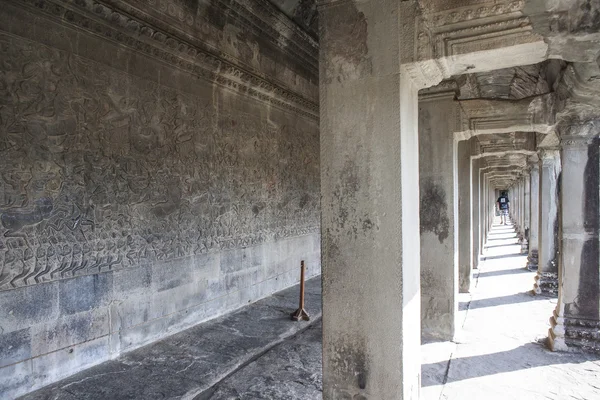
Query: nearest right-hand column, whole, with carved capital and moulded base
{"points": [[576, 319]]}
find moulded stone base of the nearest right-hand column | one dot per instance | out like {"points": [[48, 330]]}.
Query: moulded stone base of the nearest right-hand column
{"points": [[568, 334]]}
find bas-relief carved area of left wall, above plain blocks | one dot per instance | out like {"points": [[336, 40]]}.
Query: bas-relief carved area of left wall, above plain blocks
{"points": [[101, 170]]}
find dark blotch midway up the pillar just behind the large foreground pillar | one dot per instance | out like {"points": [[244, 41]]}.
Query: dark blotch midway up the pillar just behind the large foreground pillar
{"points": [[433, 210]]}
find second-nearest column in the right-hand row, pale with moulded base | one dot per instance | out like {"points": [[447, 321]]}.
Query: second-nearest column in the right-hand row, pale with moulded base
{"points": [[546, 280]]}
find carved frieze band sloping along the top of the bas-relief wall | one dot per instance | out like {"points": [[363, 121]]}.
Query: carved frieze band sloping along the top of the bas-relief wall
{"points": [[112, 24]]}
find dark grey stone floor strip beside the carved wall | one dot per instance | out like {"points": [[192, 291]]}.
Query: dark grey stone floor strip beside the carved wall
{"points": [[237, 355]]}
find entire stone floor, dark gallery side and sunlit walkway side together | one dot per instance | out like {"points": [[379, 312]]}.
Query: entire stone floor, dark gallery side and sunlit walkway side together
{"points": [[258, 354]]}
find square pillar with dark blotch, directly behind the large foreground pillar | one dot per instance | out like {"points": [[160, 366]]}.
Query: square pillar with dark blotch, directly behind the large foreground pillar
{"points": [[439, 264]]}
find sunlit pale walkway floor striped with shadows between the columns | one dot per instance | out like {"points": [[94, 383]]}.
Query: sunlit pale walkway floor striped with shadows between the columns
{"points": [[500, 352]]}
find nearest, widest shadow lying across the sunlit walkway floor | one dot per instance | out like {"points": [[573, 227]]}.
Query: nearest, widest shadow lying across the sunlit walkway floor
{"points": [[530, 355]]}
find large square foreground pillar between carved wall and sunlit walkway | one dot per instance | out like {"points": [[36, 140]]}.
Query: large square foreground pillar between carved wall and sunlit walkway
{"points": [[369, 203]]}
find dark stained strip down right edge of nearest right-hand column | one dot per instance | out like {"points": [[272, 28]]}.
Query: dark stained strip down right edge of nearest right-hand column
{"points": [[587, 302]]}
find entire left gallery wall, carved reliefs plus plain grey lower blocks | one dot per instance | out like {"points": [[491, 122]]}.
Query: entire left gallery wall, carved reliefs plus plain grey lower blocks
{"points": [[159, 166]]}
